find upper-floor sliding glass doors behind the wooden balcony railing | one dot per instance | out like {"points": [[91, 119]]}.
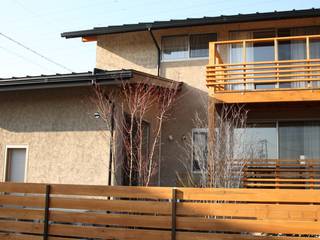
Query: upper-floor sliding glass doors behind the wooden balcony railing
{"points": [[288, 53]]}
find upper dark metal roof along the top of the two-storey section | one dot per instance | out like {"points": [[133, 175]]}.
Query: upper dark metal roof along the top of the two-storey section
{"points": [[194, 22]]}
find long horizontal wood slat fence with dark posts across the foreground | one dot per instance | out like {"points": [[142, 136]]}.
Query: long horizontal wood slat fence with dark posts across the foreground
{"points": [[60, 212]]}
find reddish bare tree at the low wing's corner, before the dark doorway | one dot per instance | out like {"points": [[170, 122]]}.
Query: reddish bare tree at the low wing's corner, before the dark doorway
{"points": [[136, 103]]}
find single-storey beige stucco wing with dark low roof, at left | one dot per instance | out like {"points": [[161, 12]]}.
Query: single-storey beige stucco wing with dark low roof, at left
{"points": [[50, 130]]}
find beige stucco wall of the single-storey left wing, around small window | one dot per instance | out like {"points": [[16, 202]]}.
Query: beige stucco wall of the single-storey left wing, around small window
{"points": [[66, 144]]}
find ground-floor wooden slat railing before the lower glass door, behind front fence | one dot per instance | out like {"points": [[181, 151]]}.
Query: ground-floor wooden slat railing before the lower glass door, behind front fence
{"points": [[279, 173]]}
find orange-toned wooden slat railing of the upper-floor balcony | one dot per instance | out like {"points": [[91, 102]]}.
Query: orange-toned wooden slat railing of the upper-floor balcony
{"points": [[298, 74]]}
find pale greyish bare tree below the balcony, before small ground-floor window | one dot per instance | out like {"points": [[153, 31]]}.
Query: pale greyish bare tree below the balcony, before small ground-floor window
{"points": [[221, 156]]}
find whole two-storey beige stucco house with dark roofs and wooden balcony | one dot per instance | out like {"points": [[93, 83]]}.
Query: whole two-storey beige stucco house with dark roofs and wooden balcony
{"points": [[267, 61]]}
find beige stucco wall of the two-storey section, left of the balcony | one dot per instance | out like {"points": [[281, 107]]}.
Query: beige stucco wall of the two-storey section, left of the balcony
{"points": [[137, 51]]}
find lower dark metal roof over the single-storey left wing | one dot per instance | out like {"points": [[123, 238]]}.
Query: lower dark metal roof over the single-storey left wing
{"points": [[100, 77]]}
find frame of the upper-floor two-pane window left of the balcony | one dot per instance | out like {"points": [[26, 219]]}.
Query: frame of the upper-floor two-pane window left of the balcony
{"points": [[189, 50]]}
